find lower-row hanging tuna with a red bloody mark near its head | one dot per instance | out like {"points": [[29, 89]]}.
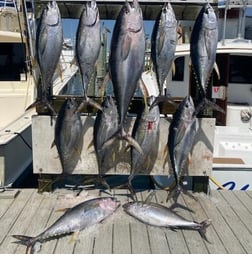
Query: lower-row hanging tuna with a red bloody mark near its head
{"points": [[146, 133]]}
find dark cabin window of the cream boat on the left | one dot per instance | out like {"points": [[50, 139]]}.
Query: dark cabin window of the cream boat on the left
{"points": [[12, 61]]}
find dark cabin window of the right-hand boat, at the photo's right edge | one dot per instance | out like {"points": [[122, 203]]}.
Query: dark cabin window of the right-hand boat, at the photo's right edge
{"points": [[240, 69]]}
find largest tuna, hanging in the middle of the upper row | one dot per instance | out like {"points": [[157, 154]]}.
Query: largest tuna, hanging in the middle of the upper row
{"points": [[127, 58]]}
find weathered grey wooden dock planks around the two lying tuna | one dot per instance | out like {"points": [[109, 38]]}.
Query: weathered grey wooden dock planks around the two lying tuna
{"points": [[230, 231]]}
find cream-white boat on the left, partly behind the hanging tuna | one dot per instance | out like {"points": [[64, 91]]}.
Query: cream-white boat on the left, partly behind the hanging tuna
{"points": [[18, 75]]}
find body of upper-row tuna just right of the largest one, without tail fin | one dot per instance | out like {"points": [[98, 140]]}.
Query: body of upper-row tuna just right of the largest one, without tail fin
{"points": [[163, 43]]}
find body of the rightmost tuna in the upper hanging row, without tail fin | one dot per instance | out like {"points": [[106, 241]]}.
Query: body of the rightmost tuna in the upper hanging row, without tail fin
{"points": [[203, 45]]}
